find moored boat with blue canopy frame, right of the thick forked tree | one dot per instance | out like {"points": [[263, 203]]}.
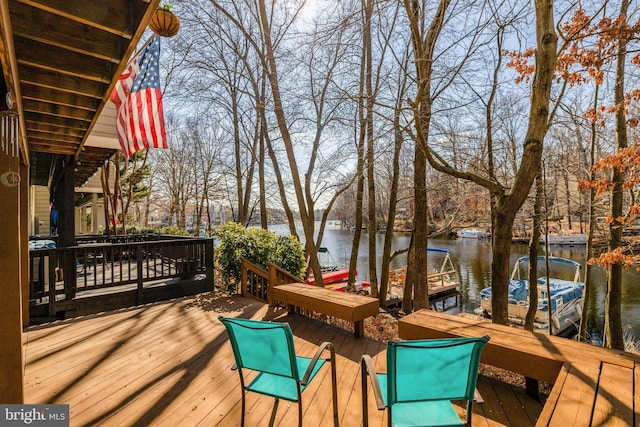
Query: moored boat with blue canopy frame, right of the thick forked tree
{"points": [[566, 297]]}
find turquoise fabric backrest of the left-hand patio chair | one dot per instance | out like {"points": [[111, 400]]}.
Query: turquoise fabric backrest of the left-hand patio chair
{"points": [[262, 346]]}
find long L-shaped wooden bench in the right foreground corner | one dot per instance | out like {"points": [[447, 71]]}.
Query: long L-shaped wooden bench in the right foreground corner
{"points": [[592, 385]]}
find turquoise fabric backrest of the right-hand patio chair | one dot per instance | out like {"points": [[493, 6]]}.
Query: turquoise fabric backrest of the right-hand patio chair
{"points": [[435, 369]]}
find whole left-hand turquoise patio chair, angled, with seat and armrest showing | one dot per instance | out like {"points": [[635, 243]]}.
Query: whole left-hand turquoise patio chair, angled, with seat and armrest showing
{"points": [[267, 348]]}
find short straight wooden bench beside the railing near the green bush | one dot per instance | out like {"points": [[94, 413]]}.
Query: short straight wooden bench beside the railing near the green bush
{"points": [[346, 306]]}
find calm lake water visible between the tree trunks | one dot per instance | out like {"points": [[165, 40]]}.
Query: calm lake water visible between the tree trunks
{"points": [[472, 260]]}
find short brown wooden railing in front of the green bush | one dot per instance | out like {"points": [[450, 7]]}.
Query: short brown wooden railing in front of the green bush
{"points": [[256, 282]]}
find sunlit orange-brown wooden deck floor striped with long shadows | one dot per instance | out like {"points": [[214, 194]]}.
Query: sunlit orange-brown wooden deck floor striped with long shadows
{"points": [[167, 364]]}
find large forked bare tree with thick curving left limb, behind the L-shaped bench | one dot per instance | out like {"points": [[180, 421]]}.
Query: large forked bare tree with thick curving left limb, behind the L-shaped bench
{"points": [[508, 200]]}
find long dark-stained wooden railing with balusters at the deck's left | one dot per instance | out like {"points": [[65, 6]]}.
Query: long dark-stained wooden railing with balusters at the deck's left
{"points": [[59, 275]]}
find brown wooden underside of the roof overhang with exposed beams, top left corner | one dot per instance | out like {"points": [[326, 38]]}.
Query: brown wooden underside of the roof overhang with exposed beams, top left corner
{"points": [[62, 58]]}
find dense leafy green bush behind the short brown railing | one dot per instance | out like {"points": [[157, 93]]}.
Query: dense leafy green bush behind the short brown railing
{"points": [[258, 246]]}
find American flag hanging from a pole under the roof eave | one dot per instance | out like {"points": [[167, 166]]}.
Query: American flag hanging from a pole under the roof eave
{"points": [[138, 100]]}
